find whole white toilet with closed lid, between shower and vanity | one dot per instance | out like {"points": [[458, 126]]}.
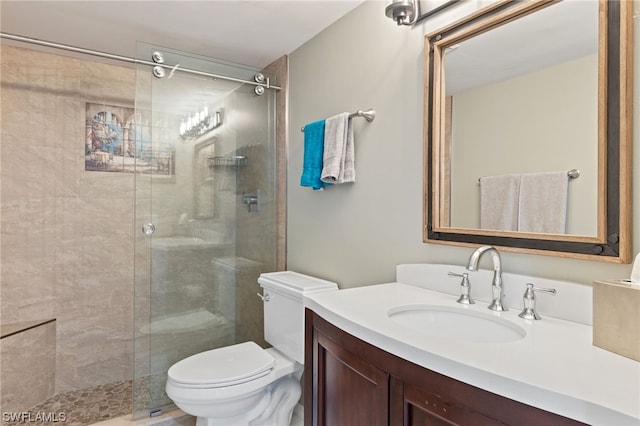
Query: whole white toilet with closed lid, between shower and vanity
{"points": [[244, 384]]}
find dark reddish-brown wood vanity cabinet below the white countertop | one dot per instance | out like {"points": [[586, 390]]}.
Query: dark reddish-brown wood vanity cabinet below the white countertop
{"points": [[349, 382]]}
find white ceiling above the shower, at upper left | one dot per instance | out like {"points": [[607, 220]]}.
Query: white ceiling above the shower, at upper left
{"points": [[253, 33]]}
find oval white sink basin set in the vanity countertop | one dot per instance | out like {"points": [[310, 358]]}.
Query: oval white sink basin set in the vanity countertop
{"points": [[456, 323]]}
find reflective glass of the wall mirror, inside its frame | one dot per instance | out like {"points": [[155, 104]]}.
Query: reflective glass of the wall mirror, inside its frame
{"points": [[524, 101]]}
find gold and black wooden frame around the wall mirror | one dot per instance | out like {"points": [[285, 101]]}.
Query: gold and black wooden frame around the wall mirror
{"points": [[615, 76]]}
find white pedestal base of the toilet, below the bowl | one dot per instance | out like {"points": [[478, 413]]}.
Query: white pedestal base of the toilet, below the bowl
{"points": [[274, 409]]}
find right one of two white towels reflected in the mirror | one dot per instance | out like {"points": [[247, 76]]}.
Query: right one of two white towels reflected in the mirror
{"points": [[543, 202]]}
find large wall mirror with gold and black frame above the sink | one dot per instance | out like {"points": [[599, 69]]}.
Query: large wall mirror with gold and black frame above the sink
{"points": [[526, 87]]}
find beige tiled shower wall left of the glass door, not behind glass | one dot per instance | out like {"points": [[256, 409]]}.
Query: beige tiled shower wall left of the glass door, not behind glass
{"points": [[66, 237]]}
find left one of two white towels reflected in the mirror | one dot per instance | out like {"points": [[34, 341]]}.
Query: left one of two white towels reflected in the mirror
{"points": [[499, 202]]}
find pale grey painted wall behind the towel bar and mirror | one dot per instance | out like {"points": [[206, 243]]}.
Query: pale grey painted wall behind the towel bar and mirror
{"points": [[355, 234]]}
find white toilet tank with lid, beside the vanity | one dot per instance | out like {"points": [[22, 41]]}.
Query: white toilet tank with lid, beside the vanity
{"points": [[283, 294]]}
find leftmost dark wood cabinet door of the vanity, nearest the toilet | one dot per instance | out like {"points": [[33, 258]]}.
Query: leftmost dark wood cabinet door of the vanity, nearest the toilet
{"points": [[347, 390]]}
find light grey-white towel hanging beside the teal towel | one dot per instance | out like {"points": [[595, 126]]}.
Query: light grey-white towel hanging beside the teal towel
{"points": [[338, 158]]}
